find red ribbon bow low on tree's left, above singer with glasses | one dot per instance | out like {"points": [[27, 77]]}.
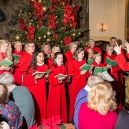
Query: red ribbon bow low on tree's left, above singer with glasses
{"points": [[30, 34]]}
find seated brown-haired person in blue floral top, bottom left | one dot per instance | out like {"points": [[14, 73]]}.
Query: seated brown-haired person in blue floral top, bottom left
{"points": [[8, 109]]}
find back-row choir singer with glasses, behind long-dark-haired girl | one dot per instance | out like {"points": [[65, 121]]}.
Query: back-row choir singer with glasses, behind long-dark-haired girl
{"points": [[26, 58]]}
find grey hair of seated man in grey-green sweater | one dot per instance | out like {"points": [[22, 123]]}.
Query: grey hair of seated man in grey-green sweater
{"points": [[6, 78]]}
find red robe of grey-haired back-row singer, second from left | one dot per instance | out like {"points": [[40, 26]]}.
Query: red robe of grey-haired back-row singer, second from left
{"points": [[17, 74]]}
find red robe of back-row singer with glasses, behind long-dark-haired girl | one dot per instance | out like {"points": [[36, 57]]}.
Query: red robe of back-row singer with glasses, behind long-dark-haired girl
{"points": [[24, 63]]}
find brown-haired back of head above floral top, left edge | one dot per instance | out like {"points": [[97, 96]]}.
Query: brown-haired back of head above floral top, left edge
{"points": [[4, 94]]}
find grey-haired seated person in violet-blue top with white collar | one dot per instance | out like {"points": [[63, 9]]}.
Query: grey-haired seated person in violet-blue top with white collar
{"points": [[82, 95]]}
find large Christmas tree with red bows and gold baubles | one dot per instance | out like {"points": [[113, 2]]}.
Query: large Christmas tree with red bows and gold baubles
{"points": [[54, 21]]}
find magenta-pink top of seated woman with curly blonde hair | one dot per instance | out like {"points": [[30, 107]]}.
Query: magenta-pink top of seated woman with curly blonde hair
{"points": [[89, 119]]}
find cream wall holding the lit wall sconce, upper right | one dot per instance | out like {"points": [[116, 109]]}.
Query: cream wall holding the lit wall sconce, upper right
{"points": [[109, 12]]}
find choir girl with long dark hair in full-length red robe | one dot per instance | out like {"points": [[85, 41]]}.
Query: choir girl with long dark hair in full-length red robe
{"points": [[37, 84]]}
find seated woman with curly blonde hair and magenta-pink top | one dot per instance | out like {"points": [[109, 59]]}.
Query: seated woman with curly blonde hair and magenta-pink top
{"points": [[98, 112]]}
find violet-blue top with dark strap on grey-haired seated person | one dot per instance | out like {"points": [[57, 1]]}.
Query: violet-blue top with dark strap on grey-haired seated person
{"points": [[81, 98]]}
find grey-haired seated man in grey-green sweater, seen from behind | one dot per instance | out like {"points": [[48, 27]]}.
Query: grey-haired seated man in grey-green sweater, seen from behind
{"points": [[22, 98]]}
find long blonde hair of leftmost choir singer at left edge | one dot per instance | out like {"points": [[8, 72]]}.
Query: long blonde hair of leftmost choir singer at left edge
{"points": [[9, 51]]}
